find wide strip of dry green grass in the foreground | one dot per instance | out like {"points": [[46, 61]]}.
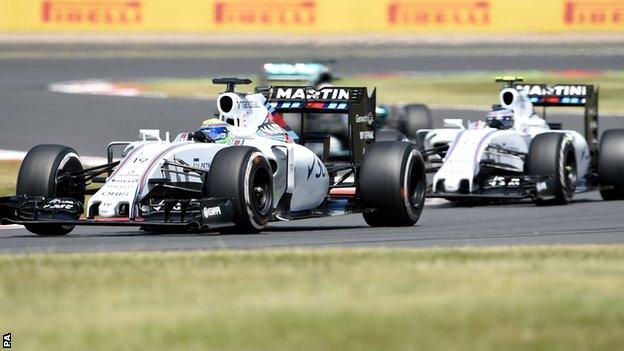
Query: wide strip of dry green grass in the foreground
{"points": [[523, 298]]}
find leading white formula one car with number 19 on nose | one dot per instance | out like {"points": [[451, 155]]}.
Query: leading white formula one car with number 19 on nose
{"points": [[242, 170]]}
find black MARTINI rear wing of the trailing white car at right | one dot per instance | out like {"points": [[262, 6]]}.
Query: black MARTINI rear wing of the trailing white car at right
{"points": [[568, 95]]}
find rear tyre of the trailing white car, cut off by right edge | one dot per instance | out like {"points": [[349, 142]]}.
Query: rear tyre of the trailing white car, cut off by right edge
{"points": [[611, 165]]}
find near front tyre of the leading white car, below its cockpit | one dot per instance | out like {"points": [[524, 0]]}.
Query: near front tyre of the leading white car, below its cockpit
{"points": [[243, 174]]}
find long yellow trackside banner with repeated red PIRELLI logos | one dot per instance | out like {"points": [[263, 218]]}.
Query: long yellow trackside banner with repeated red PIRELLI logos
{"points": [[313, 16]]}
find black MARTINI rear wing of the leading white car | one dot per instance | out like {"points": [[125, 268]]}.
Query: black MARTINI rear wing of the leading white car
{"points": [[352, 101]]}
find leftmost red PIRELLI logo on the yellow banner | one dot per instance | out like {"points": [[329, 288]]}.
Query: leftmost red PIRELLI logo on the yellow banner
{"points": [[92, 12]]}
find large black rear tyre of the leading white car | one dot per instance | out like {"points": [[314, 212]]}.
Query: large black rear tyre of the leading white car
{"points": [[393, 184]]}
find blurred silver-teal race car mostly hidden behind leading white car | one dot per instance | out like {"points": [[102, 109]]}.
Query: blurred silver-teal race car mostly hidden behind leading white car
{"points": [[393, 122]]}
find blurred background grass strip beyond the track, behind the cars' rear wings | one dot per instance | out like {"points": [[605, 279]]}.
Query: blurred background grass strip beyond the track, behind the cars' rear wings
{"points": [[473, 89]]}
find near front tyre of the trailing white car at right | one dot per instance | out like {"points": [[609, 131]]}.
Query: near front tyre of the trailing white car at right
{"points": [[553, 155]]}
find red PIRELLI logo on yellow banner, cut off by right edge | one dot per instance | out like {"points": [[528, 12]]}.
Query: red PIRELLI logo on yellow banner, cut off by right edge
{"points": [[593, 13]]}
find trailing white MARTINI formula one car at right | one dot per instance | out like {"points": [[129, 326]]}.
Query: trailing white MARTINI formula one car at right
{"points": [[516, 154]]}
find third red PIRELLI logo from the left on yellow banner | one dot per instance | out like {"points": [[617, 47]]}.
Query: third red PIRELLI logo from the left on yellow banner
{"points": [[447, 13]]}
